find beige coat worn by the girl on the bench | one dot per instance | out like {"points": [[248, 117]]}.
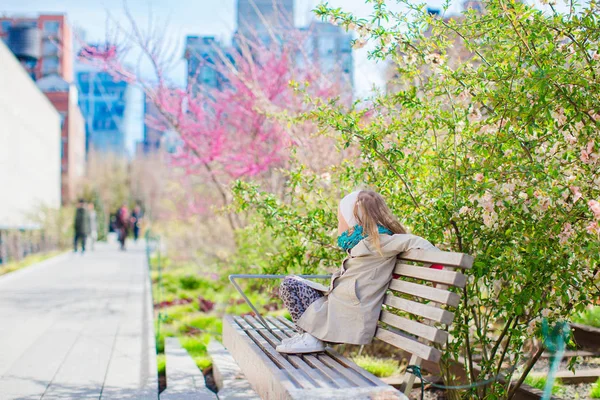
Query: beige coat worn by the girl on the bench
{"points": [[349, 311]]}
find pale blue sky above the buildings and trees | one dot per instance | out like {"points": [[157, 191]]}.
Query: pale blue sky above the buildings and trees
{"points": [[193, 17]]}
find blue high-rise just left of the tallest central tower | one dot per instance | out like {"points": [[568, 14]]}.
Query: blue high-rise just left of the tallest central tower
{"points": [[201, 53]]}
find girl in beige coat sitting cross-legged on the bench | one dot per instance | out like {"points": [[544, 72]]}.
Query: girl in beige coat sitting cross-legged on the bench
{"points": [[348, 310]]}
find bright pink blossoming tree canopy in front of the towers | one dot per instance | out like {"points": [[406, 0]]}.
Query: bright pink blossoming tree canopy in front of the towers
{"points": [[240, 130]]}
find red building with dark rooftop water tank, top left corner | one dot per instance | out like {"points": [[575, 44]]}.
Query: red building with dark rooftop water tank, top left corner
{"points": [[50, 35]]}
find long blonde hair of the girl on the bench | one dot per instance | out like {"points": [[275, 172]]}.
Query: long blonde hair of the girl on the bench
{"points": [[371, 211]]}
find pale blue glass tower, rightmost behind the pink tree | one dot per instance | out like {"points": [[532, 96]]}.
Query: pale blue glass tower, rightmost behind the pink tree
{"points": [[330, 47]]}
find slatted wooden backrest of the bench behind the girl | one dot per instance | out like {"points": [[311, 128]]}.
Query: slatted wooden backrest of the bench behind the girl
{"points": [[422, 292]]}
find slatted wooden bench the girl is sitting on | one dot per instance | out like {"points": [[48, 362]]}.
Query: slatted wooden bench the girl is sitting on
{"points": [[414, 319]]}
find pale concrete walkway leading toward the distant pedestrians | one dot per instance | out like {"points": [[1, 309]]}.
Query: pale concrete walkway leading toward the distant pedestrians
{"points": [[79, 327]]}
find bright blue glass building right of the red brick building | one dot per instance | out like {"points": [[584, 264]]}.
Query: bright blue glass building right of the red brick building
{"points": [[103, 102]]}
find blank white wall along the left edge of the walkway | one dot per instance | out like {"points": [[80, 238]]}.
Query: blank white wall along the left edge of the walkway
{"points": [[30, 141]]}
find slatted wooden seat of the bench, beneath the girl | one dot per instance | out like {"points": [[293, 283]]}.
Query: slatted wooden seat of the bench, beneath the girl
{"points": [[326, 375]]}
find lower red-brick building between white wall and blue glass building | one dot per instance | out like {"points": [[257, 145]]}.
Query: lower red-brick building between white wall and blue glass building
{"points": [[64, 97]]}
